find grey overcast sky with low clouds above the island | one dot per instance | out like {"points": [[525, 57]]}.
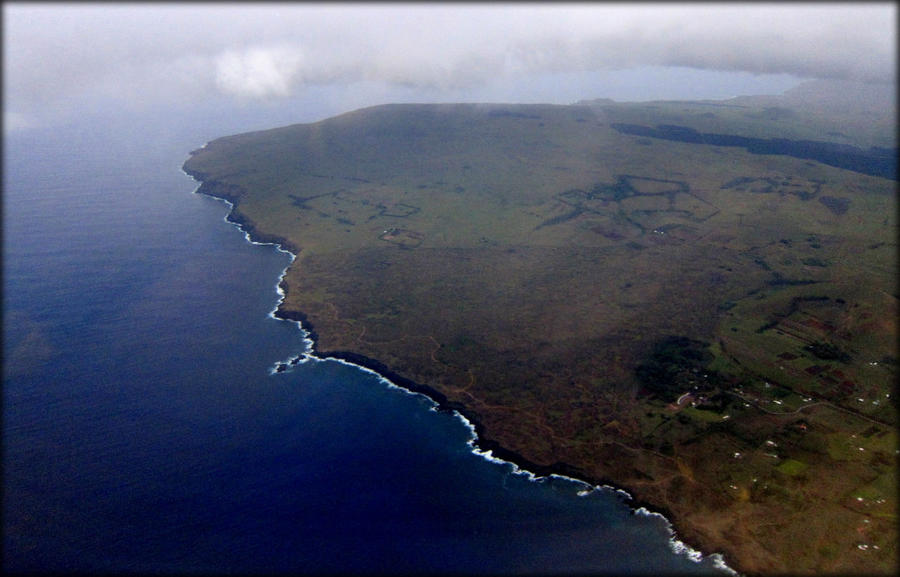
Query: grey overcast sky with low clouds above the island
{"points": [[60, 58]]}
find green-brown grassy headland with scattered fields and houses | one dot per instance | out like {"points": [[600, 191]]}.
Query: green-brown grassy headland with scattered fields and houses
{"points": [[711, 328]]}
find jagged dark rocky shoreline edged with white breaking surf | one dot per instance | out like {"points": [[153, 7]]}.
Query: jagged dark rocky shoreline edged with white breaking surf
{"points": [[481, 444]]}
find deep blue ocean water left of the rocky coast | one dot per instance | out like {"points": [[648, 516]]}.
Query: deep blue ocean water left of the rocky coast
{"points": [[144, 432]]}
